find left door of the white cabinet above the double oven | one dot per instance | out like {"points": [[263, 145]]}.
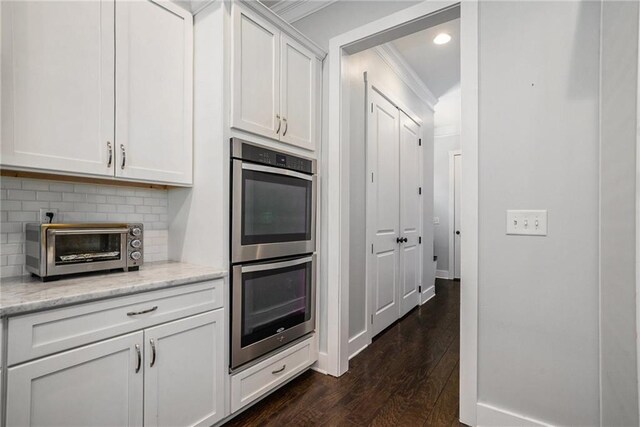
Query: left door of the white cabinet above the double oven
{"points": [[255, 75]]}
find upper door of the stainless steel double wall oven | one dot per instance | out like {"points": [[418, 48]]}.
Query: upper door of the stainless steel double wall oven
{"points": [[273, 212]]}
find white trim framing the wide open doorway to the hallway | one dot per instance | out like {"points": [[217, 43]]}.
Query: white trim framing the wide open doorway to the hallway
{"points": [[337, 189]]}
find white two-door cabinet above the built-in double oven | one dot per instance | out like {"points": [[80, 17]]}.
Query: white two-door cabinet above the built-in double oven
{"points": [[275, 90]]}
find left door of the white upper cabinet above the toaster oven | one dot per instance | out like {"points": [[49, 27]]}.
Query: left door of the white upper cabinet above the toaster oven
{"points": [[57, 85]]}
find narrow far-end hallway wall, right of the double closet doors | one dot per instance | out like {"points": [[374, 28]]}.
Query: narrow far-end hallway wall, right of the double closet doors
{"points": [[446, 139]]}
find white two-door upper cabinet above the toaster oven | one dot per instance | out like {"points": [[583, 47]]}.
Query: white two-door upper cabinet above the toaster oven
{"points": [[101, 88]]}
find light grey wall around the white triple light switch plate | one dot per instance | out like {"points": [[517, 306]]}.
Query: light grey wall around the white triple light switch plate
{"points": [[539, 149]]}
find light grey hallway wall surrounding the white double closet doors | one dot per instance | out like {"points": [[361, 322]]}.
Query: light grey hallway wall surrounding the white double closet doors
{"points": [[395, 88]]}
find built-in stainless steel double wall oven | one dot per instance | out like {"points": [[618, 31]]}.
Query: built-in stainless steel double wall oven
{"points": [[273, 216]]}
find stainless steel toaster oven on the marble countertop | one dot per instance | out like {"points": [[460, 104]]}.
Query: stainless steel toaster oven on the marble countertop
{"points": [[53, 250]]}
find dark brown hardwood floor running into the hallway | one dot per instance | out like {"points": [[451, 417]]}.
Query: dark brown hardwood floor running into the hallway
{"points": [[408, 376]]}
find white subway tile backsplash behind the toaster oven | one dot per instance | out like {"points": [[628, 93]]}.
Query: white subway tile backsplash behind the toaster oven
{"points": [[22, 198]]}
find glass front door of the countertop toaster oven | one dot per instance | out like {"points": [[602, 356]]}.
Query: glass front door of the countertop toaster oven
{"points": [[79, 250]]}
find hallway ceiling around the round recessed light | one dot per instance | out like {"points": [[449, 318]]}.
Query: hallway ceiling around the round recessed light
{"points": [[438, 66]]}
